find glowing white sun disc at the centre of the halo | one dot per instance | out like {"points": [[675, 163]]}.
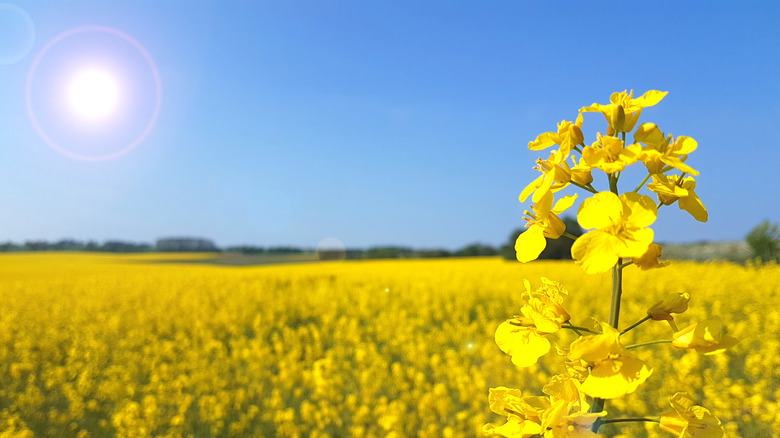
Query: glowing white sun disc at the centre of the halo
{"points": [[93, 93]]}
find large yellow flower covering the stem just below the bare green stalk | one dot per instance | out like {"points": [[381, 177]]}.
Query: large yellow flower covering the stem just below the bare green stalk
{"points": [[615, 371]]}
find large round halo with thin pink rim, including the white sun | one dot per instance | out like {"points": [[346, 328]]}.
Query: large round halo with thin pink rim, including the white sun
{"points": [[104, 77]]}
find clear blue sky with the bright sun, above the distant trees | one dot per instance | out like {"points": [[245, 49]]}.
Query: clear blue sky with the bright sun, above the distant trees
{"points": [[372, 122]]}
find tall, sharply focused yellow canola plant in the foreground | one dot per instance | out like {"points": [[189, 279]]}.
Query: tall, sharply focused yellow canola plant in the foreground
{"points": [[599, 365]]}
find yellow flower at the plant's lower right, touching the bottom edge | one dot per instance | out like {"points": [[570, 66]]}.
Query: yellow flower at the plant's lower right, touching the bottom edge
{"points": [[690, 420]]}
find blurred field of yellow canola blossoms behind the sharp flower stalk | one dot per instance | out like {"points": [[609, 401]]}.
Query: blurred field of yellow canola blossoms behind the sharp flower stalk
{"points": [[106, 345]]}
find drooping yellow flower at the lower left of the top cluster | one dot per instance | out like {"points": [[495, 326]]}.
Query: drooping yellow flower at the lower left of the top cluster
{"points": [[543, 222]]}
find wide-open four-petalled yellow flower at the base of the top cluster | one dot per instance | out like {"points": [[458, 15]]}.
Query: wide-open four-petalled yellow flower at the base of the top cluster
{"points": [[620, 231]]}
